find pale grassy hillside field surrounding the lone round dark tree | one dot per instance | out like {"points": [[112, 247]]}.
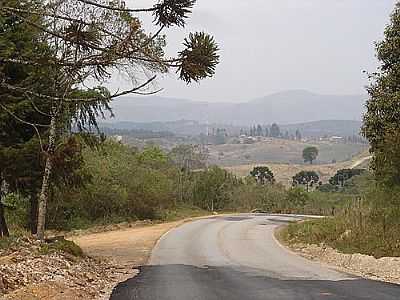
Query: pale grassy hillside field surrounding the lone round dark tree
{"points": [[281, 151]]}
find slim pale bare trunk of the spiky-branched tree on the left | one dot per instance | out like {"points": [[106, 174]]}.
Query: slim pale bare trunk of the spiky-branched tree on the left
{"points": [[44, 194]]}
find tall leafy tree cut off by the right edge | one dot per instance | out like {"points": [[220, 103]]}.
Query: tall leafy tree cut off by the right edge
{"points": [[382, 120]]}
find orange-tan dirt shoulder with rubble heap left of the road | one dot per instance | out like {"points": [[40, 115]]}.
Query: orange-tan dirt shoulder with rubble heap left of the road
{"points": [[111, 257]]}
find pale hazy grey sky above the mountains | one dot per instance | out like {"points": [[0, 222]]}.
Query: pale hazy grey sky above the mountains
{"points": [[269, 46]]}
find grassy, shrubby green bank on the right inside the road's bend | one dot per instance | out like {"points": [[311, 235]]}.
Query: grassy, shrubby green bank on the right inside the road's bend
{"points": [[366, 224]]}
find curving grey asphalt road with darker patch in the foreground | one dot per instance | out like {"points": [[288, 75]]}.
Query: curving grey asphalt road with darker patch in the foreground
{"points": [[237, 258]]}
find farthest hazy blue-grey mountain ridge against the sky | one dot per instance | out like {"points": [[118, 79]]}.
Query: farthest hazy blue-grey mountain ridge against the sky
{"points": [[284, 108]]}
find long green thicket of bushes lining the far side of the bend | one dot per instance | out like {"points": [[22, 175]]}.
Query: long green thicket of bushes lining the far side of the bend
{"points": [[113, 182]]}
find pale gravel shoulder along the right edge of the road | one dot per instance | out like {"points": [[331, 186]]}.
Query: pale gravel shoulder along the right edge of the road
{"points": [[385, 269]]}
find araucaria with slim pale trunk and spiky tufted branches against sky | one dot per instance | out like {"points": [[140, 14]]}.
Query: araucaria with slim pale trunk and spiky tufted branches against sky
{"points": [[87, 42]]}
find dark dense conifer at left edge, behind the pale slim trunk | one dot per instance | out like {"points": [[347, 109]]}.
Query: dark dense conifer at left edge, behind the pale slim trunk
{"points": [[18, 136]]}
